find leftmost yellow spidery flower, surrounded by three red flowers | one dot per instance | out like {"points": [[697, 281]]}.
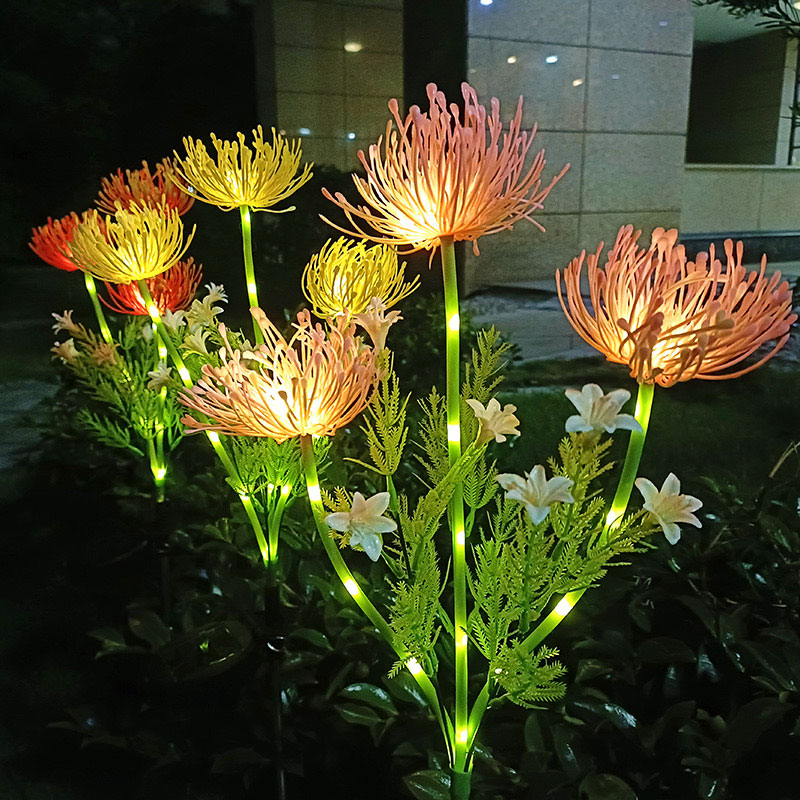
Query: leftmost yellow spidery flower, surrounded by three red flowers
{"points": [[133, 245]]}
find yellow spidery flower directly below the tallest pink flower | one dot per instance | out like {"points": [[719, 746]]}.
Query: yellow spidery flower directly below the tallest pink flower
{"points": [[346, 275]]}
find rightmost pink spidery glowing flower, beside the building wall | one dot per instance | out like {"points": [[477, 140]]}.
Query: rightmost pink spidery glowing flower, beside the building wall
{"points": [[670, 319]]}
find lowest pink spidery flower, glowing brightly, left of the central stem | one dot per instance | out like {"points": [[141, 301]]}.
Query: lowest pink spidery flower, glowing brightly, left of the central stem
{"points": [[313, 384]]}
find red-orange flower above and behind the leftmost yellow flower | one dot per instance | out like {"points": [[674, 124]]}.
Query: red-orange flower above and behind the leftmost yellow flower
{"points": [[144, 188]]}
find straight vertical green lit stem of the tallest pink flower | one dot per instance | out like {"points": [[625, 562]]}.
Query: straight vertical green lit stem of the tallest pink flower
{"points": [[453, 394]]}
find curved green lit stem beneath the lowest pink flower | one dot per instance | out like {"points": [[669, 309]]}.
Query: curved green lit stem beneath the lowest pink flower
{"points": [[356, 592]]}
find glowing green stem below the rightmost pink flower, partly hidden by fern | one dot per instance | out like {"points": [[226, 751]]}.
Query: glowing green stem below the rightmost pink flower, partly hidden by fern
{"points": [[619, 505]]}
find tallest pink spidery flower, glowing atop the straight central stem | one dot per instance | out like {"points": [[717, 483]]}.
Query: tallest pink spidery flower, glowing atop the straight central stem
{"points": [[440, 177]]}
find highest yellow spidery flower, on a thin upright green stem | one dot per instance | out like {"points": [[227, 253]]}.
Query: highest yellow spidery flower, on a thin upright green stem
{"points": [[258, 176]]}
